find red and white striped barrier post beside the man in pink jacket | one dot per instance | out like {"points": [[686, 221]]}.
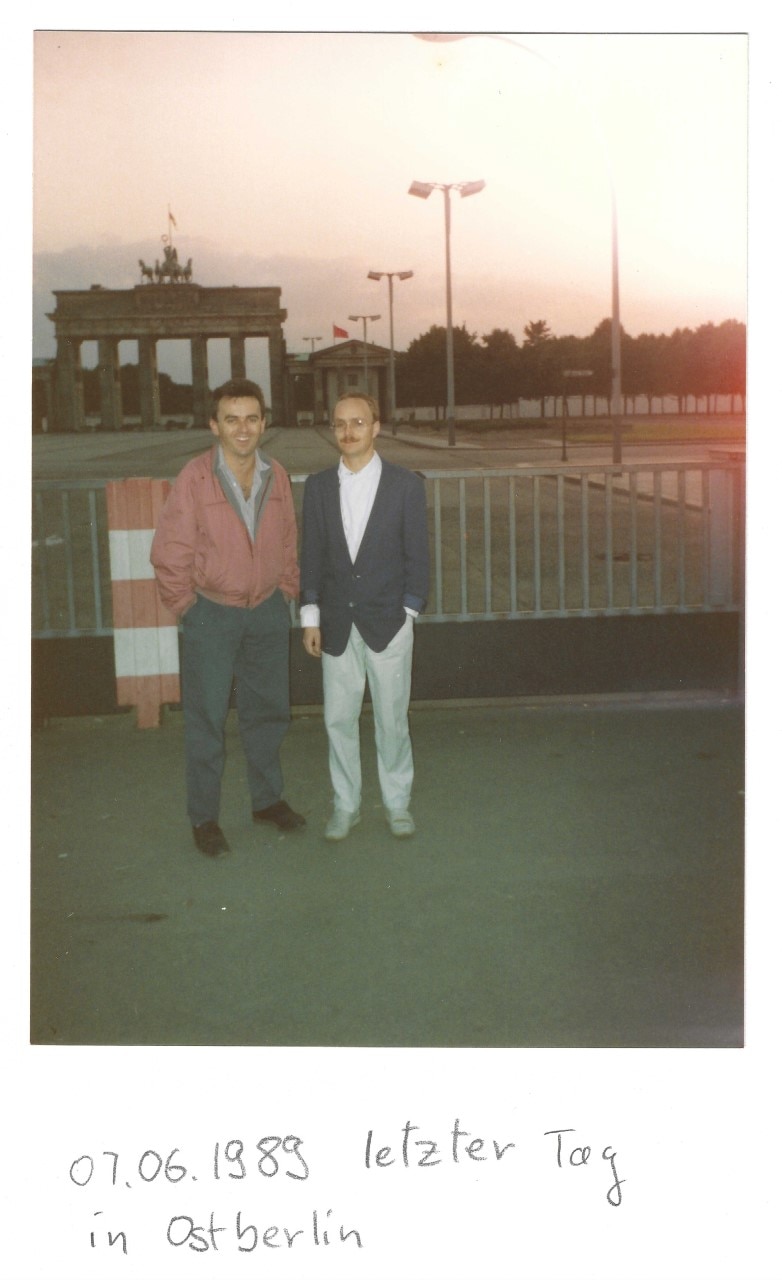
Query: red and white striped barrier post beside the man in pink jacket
{"points": [[147, 648]]}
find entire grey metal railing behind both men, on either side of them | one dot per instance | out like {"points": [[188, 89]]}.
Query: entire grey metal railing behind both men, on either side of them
{"points": [[532, 542]]}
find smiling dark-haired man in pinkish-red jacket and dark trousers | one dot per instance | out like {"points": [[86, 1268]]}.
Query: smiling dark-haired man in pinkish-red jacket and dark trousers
{"points": [[225, 557]]}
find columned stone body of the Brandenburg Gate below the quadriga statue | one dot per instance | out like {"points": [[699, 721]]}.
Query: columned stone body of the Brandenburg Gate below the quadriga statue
{"points": [[148, 314]]}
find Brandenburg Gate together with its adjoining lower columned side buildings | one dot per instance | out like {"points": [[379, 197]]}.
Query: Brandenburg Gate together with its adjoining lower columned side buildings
{"points": [[167, 305]]}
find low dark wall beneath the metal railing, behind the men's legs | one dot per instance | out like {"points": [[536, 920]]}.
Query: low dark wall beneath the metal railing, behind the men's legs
{"points": [[536, 657]]}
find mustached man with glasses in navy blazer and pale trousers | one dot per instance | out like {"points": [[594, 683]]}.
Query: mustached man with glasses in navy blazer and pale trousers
{"points": [[364, 579]]}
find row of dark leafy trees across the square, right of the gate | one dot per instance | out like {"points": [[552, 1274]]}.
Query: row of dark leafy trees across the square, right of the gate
{"points": [[698, 364]]}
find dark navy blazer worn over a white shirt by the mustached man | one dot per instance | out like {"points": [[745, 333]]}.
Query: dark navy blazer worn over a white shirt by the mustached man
{"points": [[392, 564]]}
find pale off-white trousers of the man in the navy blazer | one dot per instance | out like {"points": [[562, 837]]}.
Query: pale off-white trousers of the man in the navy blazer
{"points": [[344, 688]]}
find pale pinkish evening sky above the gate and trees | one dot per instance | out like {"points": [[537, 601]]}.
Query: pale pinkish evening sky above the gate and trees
{"points": [[286, 159]]}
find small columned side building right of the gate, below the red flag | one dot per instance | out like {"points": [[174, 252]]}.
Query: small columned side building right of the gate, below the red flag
{"points": [[318, 380]]}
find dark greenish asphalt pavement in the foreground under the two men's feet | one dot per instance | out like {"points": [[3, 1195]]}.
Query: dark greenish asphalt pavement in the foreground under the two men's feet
{"points": [[575, 881]]}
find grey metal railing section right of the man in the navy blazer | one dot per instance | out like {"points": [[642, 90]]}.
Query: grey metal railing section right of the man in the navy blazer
{"points": [[586, 541]]}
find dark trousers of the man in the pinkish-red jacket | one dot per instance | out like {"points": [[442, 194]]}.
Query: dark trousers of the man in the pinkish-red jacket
{"points": [[223, 644]]}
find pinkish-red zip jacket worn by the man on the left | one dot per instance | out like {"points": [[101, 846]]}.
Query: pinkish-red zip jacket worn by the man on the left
{"points": [[203, 546]]}
